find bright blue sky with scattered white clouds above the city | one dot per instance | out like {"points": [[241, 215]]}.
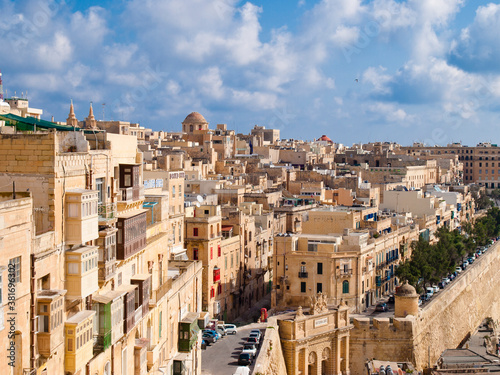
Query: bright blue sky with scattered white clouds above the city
{"points": [[381, 70]]}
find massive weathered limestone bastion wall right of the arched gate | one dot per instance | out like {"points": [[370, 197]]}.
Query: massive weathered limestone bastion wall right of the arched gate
{"points": [[442, 324]]}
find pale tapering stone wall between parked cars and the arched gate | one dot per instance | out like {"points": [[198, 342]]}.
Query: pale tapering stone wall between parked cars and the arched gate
{"points": [[270, 360]]}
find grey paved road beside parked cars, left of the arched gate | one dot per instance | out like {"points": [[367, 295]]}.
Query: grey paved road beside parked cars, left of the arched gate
{"points": [[221, 358]]}
